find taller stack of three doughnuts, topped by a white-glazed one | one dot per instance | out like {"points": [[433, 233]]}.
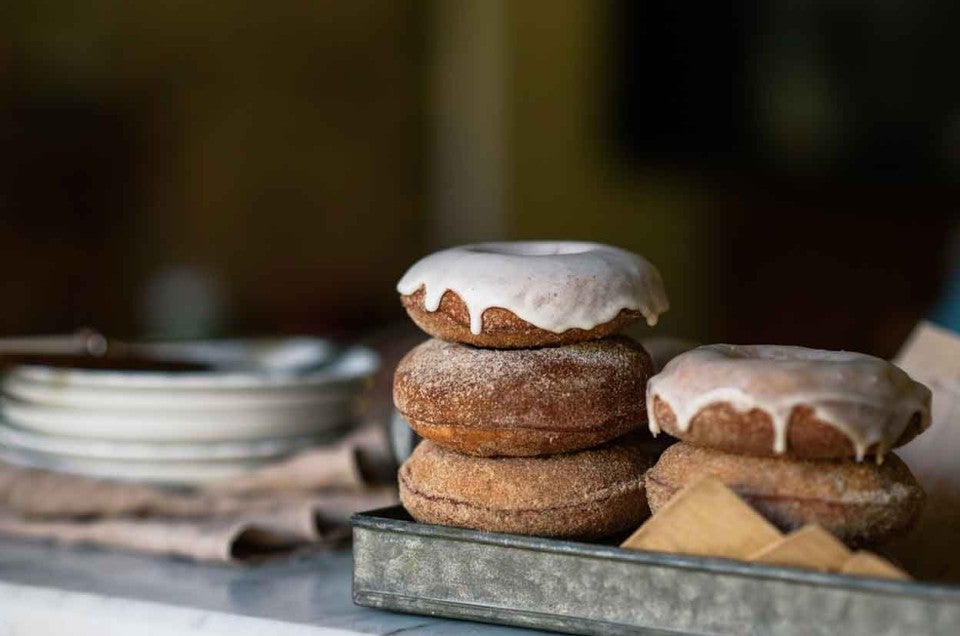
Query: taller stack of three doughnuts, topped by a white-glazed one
{"points": [[525, 397]]}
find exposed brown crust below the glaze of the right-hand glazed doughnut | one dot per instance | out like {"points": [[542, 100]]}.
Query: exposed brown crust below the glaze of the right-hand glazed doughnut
{"points": [[721, 426]]}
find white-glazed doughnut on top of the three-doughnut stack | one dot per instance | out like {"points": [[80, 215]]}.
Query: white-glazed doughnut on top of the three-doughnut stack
{"points": [[530, 293]]}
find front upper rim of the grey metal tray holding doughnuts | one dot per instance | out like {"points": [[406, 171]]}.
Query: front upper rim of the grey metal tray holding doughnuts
{"points": [[382, 519]]}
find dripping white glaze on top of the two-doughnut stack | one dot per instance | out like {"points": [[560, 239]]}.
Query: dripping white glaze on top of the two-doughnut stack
{"points": [[869, 400]]}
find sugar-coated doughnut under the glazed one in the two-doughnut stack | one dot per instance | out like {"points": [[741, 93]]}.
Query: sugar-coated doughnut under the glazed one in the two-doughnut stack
{"points": [[861, 503]]}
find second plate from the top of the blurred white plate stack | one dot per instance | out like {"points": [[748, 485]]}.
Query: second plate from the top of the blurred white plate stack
{"points": [[165, 425]]}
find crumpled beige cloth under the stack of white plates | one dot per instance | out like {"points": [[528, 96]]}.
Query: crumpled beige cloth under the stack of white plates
{"points": [[303, 502]]}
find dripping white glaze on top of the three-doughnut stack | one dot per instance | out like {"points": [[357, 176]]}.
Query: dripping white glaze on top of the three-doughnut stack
{"points": [[552, 285]]}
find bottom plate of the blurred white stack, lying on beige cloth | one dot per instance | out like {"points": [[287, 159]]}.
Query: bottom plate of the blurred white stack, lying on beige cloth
{"points": [[166, 473]]}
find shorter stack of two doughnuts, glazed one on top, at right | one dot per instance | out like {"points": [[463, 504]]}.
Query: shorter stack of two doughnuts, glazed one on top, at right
{"points": [[788, 428]]}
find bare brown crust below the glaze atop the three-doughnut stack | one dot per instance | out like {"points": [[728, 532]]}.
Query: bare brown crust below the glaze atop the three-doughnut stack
{"points": [[502, 329]]}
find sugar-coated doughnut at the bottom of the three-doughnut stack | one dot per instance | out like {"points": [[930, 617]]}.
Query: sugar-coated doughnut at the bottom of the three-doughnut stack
{"points": [[584, 495]]}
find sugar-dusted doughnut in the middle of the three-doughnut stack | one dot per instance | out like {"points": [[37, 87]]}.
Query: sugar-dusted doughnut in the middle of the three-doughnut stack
{"points": [[573, 386]]}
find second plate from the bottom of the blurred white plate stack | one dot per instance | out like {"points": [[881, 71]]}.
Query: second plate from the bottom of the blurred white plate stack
{"points": [[26, 440]]}
